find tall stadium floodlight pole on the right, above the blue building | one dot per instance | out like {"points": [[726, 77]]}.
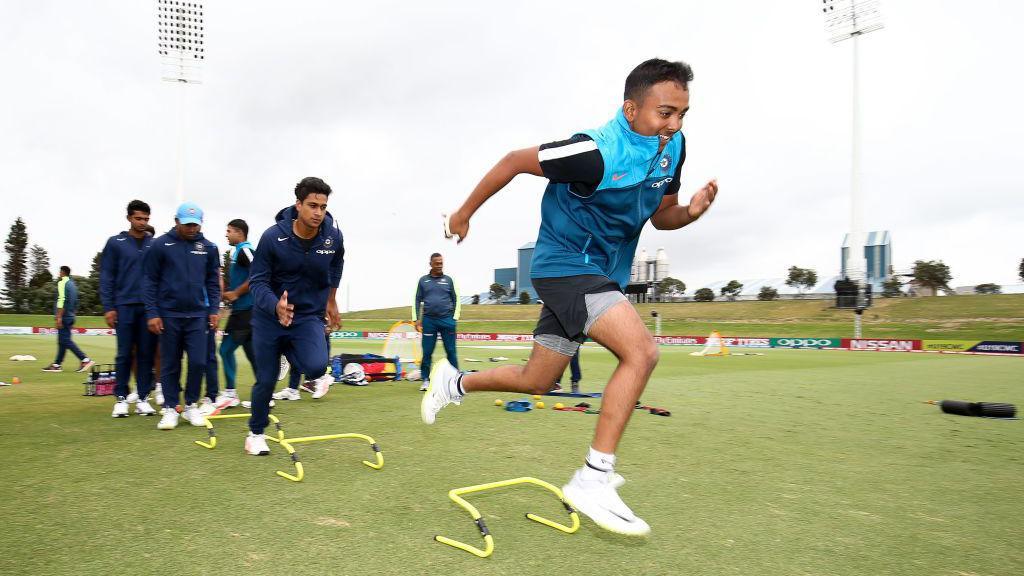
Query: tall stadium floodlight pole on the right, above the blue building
{"points": [[849, 20]]}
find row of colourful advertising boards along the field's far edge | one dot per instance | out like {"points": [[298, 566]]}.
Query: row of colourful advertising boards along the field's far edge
{"points": [[857, 345]]}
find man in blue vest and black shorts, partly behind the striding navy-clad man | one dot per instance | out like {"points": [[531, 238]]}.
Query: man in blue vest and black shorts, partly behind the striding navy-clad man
{"points": [[239, 330]]}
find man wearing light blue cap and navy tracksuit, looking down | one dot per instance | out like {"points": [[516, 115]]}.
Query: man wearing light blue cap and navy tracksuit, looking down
{"points": [[182, 291]]}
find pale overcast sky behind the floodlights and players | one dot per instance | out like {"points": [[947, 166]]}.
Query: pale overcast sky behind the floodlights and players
{"points": [[402, 107]]}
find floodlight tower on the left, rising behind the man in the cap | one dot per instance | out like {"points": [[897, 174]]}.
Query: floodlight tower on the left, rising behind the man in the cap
{"points": [[183, 49]]}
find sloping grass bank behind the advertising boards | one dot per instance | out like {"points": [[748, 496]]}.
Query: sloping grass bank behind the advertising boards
{"points": [[992, 318]]}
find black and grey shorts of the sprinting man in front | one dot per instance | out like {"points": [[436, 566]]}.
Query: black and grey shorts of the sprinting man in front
{"points": [[572, 306]]}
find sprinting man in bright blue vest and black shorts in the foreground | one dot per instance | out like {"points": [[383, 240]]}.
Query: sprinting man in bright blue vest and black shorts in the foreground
{"points": [[605, 185]]}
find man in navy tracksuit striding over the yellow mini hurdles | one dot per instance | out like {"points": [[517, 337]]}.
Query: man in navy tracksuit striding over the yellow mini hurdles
{"points": [[294, 281]]}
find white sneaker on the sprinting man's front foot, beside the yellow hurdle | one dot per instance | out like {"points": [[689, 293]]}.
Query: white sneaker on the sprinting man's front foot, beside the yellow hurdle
{"points": [[599, 500]]}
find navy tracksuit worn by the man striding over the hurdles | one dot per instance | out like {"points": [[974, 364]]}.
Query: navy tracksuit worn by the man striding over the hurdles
{"points": [[308, 270]]}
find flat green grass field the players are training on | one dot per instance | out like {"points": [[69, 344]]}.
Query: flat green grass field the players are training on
{"points": [[790, 464]]}
